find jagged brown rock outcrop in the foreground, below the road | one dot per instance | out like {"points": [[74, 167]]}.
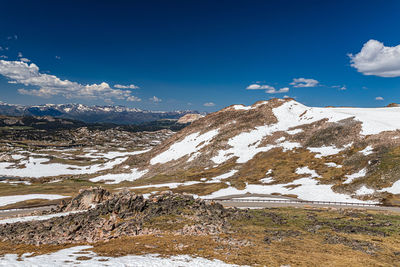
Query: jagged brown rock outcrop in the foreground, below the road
{"points": [[123, 214]]}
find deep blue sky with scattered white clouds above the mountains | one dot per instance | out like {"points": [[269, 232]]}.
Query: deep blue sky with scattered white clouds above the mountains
{"points": [[199, 55]]}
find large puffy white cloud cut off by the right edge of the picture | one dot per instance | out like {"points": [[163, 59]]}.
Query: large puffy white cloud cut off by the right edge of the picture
{"points": [[377, 59]]}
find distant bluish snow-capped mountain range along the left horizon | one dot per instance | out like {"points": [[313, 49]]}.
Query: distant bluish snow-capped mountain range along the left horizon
{"points": [[107, 114]]}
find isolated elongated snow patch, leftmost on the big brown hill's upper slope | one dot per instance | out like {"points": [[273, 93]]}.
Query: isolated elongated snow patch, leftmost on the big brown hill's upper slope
{"points": [[190, 144]]}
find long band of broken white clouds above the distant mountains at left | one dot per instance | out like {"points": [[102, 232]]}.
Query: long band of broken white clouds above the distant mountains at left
{"points": [[20, 72]]}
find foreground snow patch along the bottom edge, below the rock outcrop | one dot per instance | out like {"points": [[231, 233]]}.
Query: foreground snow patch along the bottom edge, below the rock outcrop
{"points": [[69, 257]]}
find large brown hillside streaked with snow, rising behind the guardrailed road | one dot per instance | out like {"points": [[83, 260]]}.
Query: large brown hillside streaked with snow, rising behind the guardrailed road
{"points": [[350, 153]]}
